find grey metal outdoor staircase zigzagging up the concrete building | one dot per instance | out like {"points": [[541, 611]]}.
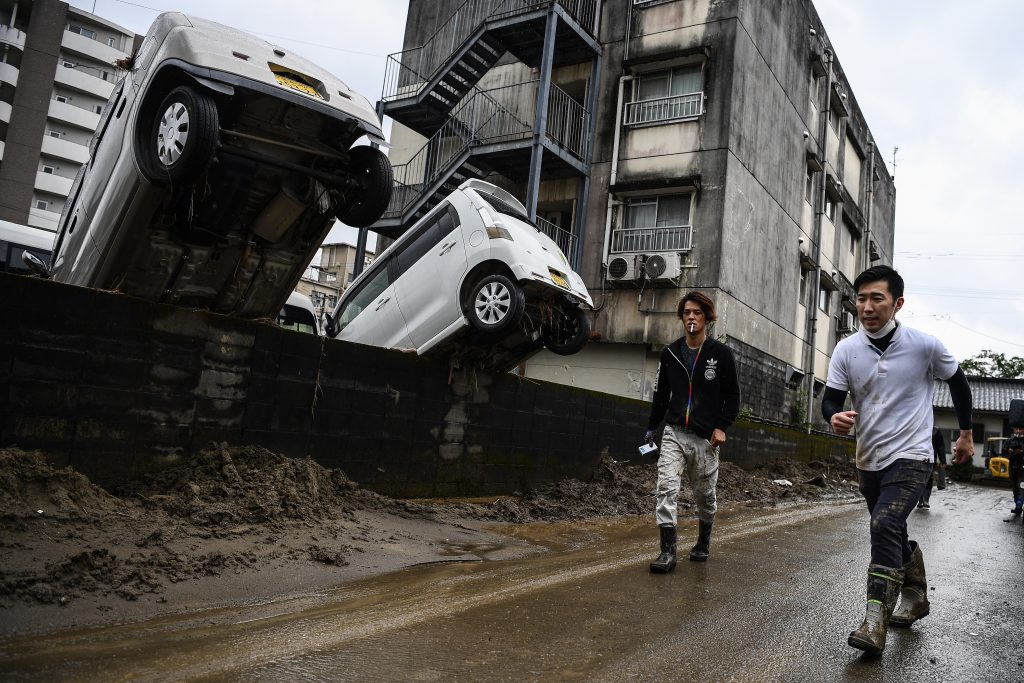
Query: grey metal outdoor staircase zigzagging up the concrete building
{"points": [[504, 133]]}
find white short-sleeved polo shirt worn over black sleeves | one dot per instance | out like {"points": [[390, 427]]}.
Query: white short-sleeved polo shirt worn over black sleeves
{"points": [[892, 394]]}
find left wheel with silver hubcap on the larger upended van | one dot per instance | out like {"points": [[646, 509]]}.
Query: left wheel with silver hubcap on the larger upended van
{"points": [[183, 139]]}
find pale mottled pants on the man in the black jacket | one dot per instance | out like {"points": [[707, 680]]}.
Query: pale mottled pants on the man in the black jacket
{"points": [[682, 450]]}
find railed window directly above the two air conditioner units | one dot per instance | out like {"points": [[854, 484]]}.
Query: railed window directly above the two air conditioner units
{"points": [[656, 224]]}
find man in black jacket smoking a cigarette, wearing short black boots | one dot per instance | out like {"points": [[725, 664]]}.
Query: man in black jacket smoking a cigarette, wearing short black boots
{"points": [[698, 396]]}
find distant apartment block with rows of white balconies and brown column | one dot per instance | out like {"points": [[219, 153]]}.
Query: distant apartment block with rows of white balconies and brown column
{"points": [[58, 68]]}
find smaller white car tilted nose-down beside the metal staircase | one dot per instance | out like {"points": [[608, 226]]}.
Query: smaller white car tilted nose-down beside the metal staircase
{"points": [[476, 278]]}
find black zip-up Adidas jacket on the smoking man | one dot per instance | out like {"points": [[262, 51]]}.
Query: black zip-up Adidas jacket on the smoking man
{"points": [[715, 402]]}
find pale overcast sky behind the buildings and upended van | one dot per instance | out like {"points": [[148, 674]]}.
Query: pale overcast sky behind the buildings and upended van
{"points": [[943, 80]]}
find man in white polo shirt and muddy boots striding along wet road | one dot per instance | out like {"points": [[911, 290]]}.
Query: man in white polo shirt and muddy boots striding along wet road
{"points": [[888, 371]]}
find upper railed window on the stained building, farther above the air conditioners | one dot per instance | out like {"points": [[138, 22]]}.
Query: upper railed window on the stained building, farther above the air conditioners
{"points": [[666, 96]]}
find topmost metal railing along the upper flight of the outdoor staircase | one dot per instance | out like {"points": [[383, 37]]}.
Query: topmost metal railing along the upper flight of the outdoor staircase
{"points": [[407, 72]]}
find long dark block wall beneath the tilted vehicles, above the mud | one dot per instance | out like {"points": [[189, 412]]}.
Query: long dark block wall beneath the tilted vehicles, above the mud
{"points": [[117, 388]]}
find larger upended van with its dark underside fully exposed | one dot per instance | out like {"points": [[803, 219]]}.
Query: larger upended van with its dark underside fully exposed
{"points": [[220, 165]]}
